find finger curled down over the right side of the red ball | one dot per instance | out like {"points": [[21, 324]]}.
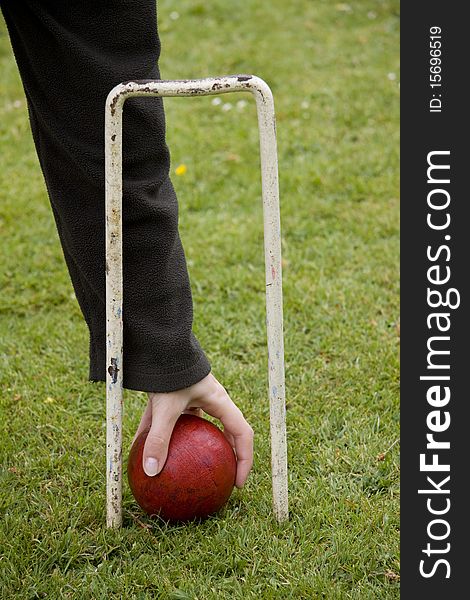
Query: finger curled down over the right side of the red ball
{"points": [[223, 408]]}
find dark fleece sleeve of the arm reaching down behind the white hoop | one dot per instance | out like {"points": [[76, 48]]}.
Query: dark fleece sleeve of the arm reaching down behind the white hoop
{"points": [[70, 53]]}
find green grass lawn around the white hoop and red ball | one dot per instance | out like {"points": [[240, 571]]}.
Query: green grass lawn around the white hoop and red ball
{"points": [[331, 69]]}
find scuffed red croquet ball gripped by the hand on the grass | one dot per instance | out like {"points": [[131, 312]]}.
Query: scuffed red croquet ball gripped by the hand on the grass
{"points": [[197, 478]]}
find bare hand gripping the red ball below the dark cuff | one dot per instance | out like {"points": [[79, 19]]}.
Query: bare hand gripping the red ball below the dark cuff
{"points": [[163, 410]]}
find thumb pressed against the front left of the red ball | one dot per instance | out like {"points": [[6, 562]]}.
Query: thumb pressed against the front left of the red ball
{"points": [[164, 417]]}
